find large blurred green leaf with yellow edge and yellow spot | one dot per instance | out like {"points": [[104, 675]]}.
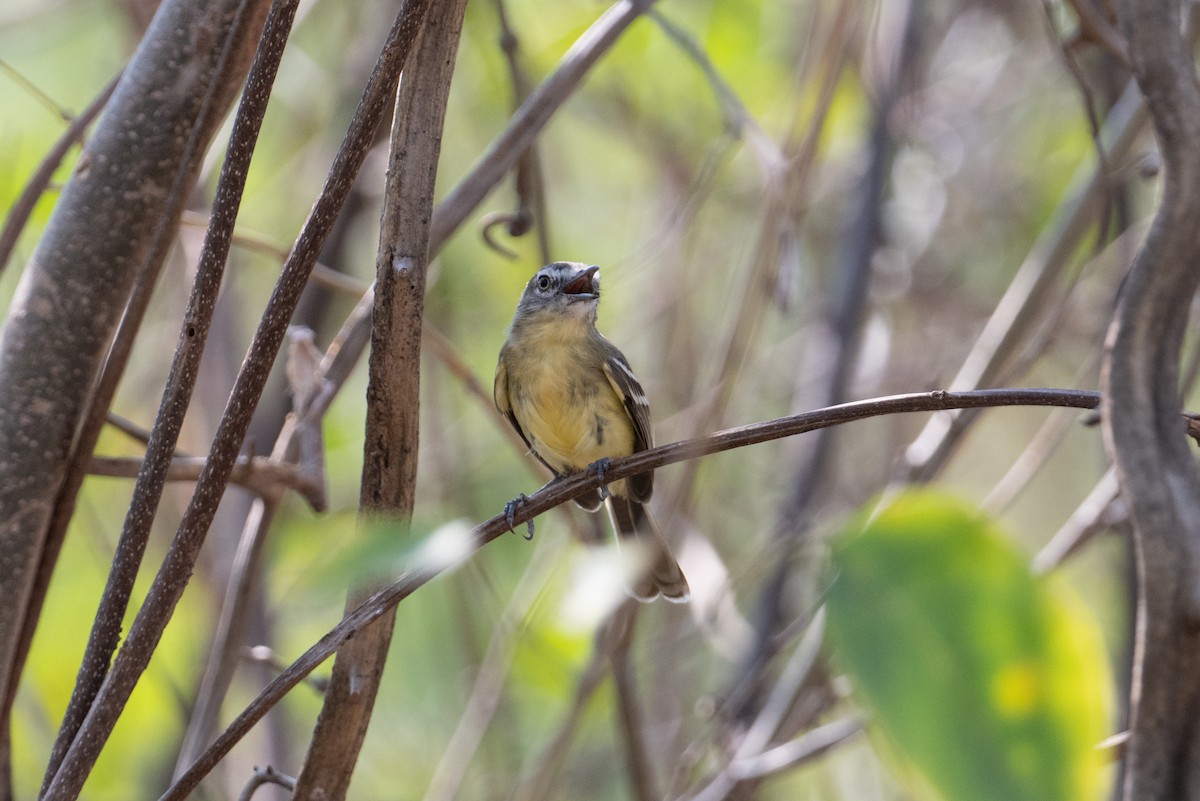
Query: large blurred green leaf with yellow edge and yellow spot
{"points": [[991, 682]]}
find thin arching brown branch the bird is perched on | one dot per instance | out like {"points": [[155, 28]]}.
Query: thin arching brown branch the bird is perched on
{"points": [[579, 485]]}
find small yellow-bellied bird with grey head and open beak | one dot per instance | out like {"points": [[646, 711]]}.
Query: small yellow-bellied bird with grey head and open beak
{"points": [[575, 402]]}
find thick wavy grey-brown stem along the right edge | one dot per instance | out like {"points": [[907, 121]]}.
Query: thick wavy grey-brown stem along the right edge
{"points": [[1155, 466]]}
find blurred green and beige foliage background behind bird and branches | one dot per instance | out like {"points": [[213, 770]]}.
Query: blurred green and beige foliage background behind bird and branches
{"points": [[663, 170]]}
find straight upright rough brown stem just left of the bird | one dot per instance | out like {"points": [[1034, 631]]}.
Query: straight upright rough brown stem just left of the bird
{"points": [[393, 415]]}
